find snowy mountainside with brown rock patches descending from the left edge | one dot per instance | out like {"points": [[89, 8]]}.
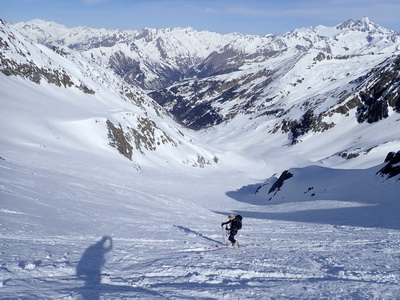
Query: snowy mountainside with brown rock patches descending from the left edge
{"points": [[89, 99]]}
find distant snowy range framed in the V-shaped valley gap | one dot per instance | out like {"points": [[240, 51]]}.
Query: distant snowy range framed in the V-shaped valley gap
{"points": [[150, 58]]}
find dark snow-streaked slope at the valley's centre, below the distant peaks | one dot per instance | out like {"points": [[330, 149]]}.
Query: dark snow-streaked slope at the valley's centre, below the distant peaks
{"points": [[197, 103]]}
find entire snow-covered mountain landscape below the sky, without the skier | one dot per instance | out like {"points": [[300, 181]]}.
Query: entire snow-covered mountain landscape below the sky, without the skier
{"points": [[106, 194]]}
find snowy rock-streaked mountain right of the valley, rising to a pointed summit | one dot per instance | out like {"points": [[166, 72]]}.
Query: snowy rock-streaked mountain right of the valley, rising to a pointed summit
{"points": [[309, 89]]}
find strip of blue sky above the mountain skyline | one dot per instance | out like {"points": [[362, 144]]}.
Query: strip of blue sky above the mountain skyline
{"points": [[223, 16]]}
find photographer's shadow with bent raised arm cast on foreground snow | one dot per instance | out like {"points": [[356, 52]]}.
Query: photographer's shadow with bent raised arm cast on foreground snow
{"points": [[89, 269]]}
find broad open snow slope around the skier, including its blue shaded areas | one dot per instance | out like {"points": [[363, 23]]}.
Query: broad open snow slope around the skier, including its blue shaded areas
{"points": [[59, 198]]}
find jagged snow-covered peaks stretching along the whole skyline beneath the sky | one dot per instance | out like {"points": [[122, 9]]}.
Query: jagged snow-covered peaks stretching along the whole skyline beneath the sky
{"points": [[155, 58]]}
